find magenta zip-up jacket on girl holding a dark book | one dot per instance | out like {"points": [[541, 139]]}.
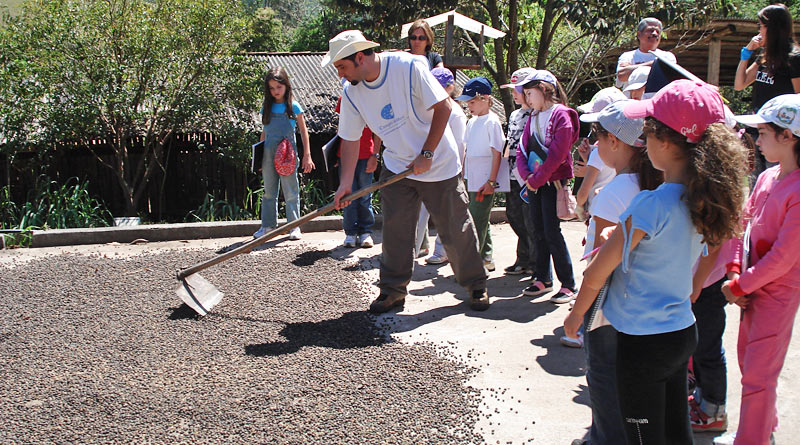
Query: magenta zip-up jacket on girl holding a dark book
{"points": [[560, 135]]}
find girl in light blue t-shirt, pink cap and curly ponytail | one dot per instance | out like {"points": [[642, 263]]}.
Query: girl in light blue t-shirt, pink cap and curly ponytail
{"points": [[651, 253]]}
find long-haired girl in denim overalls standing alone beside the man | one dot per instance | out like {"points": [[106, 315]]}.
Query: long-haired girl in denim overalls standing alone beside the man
{"points": [[279, 123]]}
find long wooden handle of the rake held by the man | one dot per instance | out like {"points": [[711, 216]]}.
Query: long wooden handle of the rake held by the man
{"points": [[183, 273]]}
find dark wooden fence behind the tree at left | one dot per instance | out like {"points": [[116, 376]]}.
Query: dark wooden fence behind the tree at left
{"points": [[191, 174]]}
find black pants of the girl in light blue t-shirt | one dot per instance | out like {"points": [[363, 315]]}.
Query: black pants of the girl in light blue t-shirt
{"points": [[651, 383]]}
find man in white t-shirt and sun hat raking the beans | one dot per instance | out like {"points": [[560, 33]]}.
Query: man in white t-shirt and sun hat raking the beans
{"points": [[396, 95]]}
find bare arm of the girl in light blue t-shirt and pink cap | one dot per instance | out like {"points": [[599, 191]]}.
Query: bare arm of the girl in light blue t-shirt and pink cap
{"points": [[596, 274]]}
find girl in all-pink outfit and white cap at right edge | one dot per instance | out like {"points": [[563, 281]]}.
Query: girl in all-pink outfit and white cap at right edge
{"points": [[765, 271]]}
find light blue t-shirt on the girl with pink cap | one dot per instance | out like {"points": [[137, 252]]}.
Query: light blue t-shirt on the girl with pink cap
{"points": [[650, 289]]}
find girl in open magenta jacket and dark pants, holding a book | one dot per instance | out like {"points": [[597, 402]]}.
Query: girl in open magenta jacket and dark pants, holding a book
{"points": [[551, 131]]}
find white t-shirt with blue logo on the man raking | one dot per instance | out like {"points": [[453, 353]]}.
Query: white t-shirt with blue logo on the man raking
{"points": [[397, 107]]}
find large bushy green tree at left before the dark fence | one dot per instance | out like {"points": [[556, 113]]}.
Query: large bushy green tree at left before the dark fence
{"points": [[134, 72]]}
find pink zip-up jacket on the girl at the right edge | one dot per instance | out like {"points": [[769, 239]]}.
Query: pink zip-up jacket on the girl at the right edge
{"points": [[774, 212]]}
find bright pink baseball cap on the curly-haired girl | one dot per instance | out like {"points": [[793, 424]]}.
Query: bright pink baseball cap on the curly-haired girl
{"points": [[686, 106]]}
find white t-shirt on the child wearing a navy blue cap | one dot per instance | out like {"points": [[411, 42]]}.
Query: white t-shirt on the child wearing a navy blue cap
{"points": [[484, 135]]}
